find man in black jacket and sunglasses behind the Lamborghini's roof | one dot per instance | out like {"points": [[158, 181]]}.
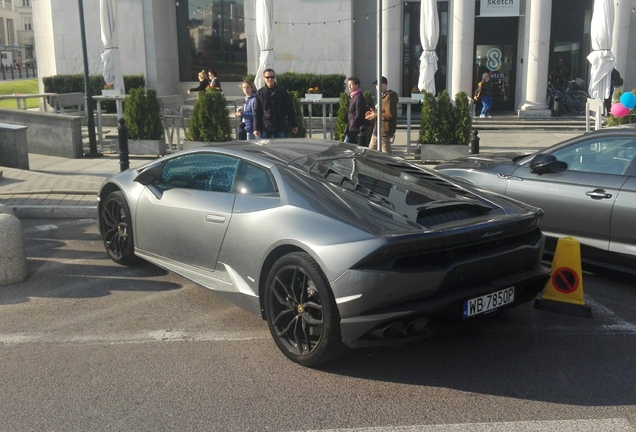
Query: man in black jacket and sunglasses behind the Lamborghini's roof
{"points": [[273, 109]]}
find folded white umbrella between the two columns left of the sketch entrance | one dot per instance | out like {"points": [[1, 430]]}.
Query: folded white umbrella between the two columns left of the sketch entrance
{"points": [[429, 35]]}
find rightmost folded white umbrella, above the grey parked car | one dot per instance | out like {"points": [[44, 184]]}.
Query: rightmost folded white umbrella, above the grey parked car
{"points": [[601, 58]]}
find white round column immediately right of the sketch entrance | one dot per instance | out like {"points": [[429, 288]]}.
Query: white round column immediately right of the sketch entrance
{"points": [[537, 58]]}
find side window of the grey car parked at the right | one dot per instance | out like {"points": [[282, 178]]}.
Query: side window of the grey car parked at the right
{"points": [[603, 156]]}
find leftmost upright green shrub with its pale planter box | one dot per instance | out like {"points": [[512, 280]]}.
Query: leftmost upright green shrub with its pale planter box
{"points": [[142, 113]]}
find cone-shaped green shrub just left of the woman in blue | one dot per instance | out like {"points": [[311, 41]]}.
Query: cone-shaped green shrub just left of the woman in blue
{"points": [[210, 120]]}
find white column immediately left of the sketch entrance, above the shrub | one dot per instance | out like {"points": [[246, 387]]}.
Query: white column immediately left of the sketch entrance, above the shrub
{"points": [[462, 40]]}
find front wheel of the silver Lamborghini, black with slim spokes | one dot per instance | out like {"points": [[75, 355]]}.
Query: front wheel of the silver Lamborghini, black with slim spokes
{"points": [[116, 227]]}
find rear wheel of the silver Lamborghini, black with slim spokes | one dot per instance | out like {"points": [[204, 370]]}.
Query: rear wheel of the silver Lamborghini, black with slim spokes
{"points": [[301, 311]]}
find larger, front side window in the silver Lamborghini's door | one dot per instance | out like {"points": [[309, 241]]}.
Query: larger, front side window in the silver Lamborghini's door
{"points": [[201, 171]]}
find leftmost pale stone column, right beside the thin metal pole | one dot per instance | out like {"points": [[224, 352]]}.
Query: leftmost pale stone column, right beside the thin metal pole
{"points": [[392, 15]]}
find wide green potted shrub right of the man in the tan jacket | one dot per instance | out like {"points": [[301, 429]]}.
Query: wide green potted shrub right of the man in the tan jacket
{"points": [[446, 126]]}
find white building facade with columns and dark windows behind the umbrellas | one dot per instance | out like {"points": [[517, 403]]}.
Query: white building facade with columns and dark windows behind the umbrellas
{"points": [[168, 41]]}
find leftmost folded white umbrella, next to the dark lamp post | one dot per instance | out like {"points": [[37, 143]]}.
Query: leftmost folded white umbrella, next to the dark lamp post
{"points": [[111, 68]]}
